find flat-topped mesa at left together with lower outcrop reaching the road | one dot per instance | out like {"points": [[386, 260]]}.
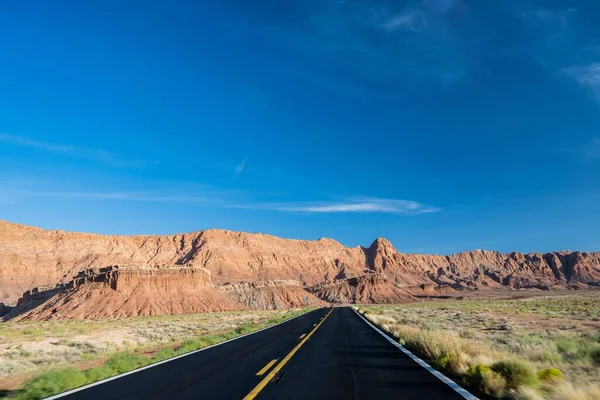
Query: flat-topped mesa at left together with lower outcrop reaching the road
{"points": [[143, 290]]}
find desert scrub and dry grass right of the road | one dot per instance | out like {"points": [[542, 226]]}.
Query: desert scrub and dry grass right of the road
{"points": [[528, 349]]}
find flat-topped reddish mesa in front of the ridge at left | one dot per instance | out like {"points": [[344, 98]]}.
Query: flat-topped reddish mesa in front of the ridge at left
{"points": [[125, 292]]}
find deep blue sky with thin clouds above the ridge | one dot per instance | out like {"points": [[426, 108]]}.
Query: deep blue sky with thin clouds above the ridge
{"points": [[442, 125]]}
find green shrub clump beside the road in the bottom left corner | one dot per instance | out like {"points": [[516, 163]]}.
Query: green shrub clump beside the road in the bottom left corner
{"points": [[52, 382]]}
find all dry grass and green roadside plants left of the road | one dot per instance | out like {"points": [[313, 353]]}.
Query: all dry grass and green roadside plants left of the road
{"points": [[129, 344]]}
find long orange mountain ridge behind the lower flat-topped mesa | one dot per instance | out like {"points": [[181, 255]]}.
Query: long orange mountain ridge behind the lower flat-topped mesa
{"points": [[31, 257]]}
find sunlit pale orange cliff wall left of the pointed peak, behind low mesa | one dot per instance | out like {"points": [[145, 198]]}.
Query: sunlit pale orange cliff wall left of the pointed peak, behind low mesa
{"points": [[31, 257]]}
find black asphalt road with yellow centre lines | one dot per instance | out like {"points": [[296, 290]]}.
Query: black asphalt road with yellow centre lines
{"points": [[325, 354]]}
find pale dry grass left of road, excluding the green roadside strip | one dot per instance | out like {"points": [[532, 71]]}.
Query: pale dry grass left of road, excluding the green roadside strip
{"points": [[27, 349]]}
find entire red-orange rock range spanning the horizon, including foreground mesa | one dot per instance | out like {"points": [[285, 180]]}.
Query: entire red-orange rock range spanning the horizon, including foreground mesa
{"points": [[57, 274]]}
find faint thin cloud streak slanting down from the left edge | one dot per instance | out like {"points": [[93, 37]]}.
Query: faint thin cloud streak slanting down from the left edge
{"points": [[89, 153]]}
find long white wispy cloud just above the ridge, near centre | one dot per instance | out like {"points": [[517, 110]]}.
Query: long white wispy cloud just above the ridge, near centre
{"points": [[356, 205]]}
